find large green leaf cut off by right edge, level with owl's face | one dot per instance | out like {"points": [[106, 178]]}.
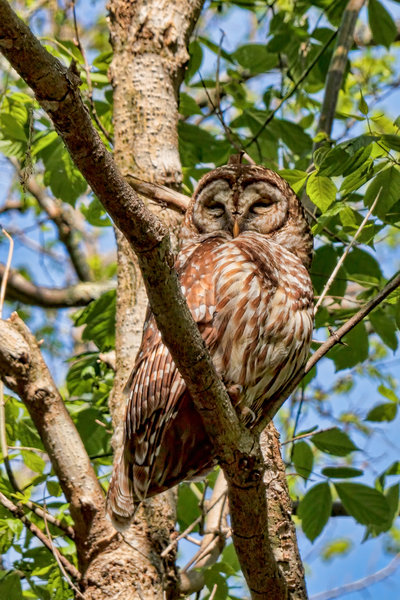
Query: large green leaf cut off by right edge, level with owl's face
{"points": [[387, 185]]}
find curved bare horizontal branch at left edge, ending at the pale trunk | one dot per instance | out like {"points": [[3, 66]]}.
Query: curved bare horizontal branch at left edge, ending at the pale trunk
{"points": [[22, 290]]}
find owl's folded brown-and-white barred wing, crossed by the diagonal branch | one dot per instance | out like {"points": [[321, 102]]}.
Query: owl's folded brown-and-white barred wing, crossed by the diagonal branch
{"points": [[156, 392]]}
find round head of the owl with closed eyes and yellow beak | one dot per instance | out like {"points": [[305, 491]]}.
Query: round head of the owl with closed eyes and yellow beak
{"points": [[237, 198]]}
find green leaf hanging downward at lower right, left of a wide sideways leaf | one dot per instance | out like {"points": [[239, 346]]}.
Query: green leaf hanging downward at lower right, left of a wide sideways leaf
{"points": [[315, 509]]}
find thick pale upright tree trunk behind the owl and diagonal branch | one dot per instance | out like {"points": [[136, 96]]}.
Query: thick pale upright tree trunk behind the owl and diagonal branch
{"points": [[149, 42]]}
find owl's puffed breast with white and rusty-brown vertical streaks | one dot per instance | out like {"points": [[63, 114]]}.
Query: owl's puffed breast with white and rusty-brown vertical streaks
{"points": [[261, 319]]}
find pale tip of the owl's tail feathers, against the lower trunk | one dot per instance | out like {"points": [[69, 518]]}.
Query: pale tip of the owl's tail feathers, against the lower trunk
{"points": [[121, 503]]}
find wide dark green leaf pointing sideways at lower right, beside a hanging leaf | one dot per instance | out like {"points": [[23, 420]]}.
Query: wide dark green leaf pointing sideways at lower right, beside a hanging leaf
{"points": [[367, 505]]}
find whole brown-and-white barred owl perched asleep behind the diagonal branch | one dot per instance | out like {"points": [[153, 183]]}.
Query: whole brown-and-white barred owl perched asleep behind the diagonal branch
{"points": [[243, 260]]}
